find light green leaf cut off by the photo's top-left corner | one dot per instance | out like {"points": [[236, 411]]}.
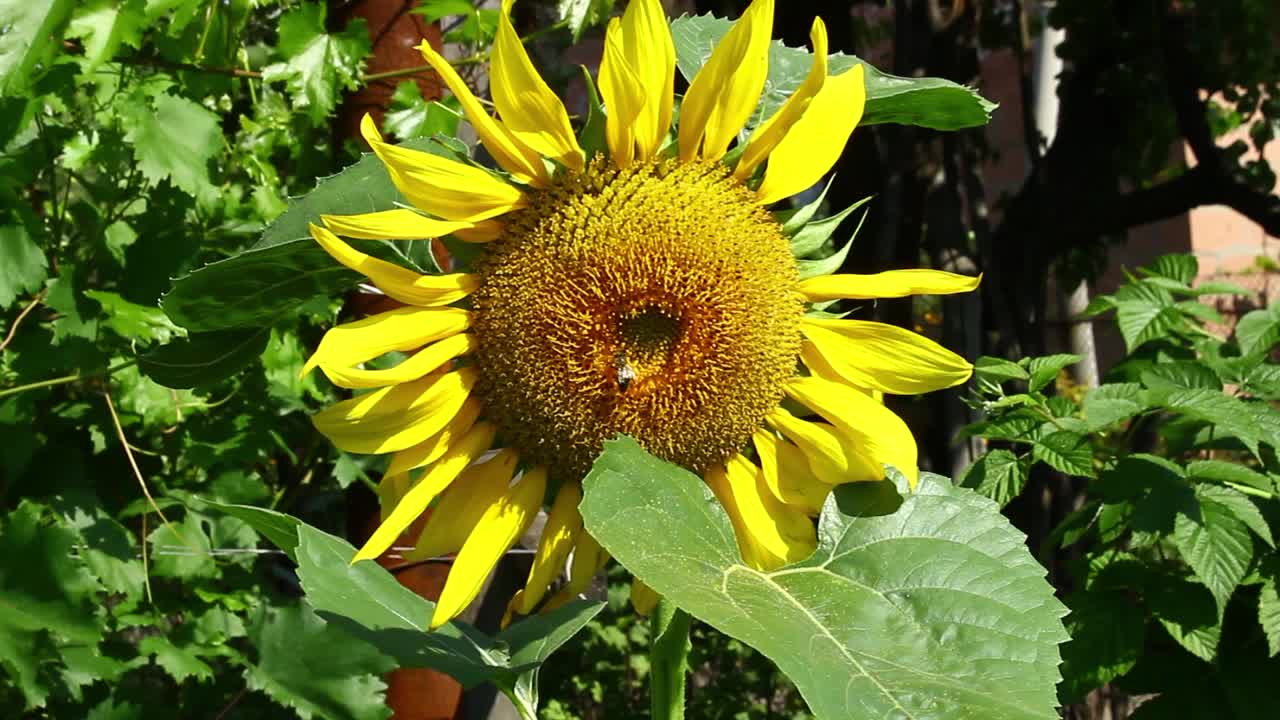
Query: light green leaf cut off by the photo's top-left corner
{"points": [[33, 37]]}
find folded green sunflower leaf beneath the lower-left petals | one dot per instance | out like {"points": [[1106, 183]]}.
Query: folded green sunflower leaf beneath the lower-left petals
{"points": [[368, 603]]}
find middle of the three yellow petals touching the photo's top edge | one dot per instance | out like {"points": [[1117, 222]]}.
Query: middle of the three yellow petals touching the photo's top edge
{"points": [[651, 56]]}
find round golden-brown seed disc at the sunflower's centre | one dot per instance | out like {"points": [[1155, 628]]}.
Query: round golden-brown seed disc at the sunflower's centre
{"points": [[656, 302]]}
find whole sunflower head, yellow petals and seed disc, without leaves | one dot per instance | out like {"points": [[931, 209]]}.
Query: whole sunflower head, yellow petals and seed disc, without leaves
{"points": [[646, 290]]}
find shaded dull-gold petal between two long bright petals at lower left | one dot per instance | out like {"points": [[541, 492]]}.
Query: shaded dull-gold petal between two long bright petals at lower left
{"points": [[464, 504]]}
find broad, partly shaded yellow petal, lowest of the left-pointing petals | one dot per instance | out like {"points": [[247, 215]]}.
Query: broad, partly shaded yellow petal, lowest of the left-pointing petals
{"points": [[399, 417]]}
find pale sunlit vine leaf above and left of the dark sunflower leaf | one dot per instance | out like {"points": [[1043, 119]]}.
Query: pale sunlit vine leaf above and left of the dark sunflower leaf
{"points": [[173, 139]]}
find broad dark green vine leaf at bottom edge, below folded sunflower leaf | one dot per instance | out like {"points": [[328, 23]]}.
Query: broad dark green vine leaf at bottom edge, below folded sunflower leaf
{"points": [[314, 668]]}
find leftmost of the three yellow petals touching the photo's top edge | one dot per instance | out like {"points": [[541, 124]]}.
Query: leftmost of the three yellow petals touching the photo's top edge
{"points": [[532, 111]]}
